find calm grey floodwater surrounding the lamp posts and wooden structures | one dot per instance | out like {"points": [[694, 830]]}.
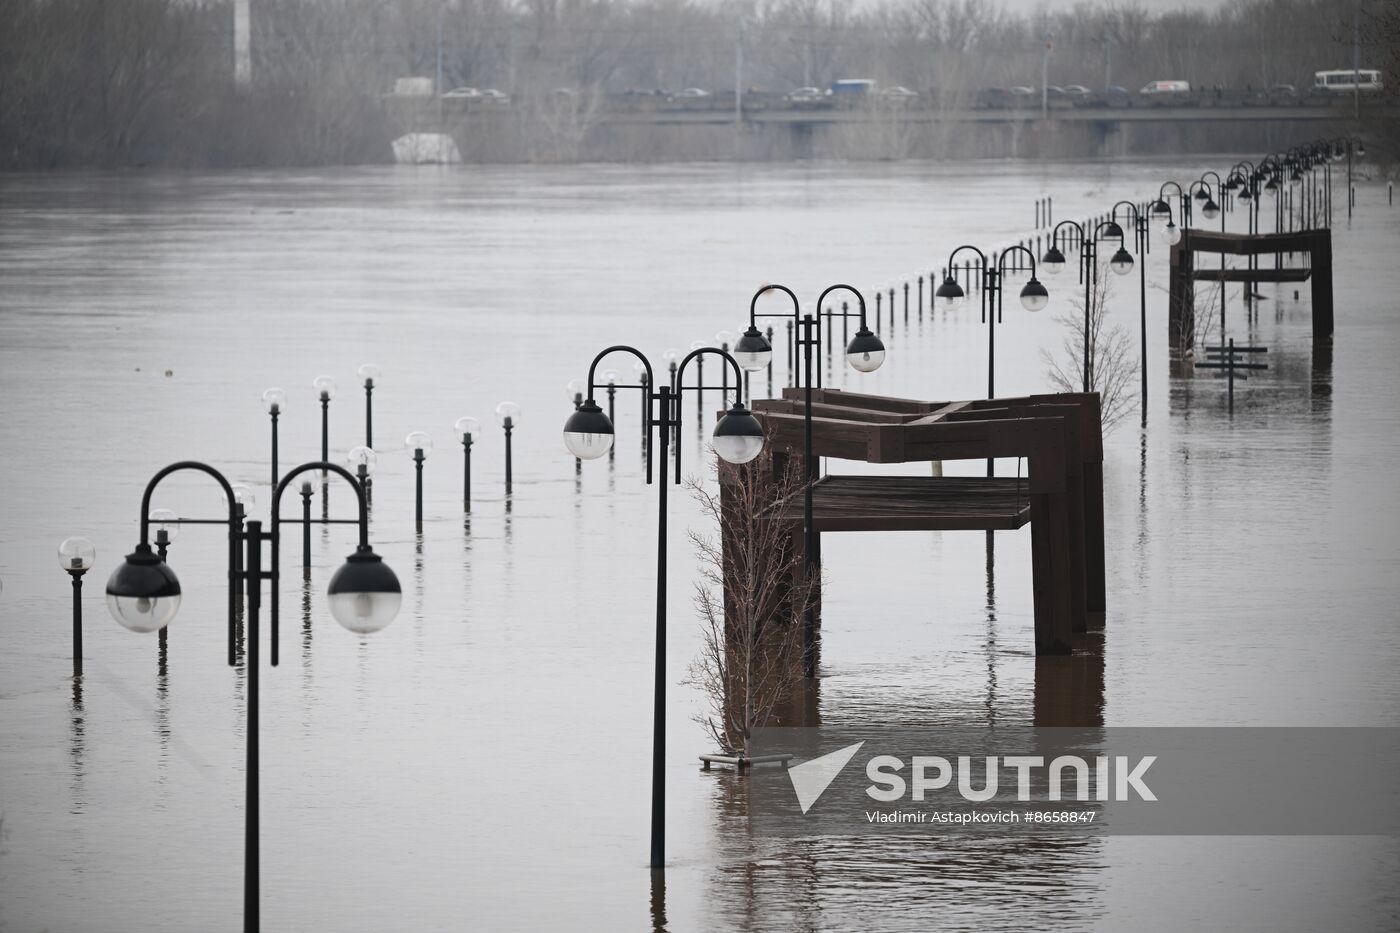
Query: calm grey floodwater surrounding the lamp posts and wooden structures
{"points": [[485, 761]]}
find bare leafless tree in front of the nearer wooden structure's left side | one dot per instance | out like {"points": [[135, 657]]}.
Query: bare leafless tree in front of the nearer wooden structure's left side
{"points": [[752, 597]]}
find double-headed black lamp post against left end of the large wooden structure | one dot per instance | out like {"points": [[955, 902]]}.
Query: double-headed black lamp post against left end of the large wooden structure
{"points": [[864, 354]]}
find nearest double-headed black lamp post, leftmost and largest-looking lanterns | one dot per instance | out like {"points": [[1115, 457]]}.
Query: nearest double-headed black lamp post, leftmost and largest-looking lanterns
{"points": [[143, 595]]}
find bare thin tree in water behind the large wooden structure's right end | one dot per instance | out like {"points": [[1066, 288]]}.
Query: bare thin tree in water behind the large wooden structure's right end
{"points": [[1114, 364]]}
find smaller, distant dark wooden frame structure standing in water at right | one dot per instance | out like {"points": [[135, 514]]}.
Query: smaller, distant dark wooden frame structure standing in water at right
{"points": [[1315, 244]]}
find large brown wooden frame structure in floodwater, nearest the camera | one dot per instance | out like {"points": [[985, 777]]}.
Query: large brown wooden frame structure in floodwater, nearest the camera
{"points": [[1060, 495]]}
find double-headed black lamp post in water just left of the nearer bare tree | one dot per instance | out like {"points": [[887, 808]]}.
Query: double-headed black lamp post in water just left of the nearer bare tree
{"points": [[589, 435]]}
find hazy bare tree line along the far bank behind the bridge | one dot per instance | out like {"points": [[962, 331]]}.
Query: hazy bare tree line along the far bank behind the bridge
{"points": [[128, 83]]}
